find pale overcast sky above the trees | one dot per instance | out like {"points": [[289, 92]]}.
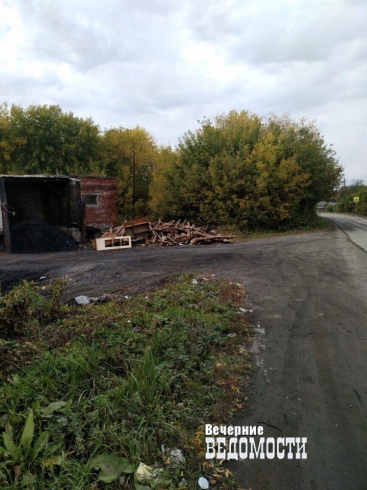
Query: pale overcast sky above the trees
{"points": [[164, 64]]}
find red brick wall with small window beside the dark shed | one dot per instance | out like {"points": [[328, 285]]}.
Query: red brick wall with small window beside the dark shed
{"points": [[103, 214]]}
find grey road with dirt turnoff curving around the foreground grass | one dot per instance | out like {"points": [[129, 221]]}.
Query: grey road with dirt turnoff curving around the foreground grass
{"points": [[309, 295]]}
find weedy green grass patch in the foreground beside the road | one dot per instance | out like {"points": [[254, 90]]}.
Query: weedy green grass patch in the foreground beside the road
{"points": [[101, 388]]}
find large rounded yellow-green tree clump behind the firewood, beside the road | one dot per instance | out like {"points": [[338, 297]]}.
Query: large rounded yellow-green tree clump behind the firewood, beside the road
{"points": [[243, 170]]}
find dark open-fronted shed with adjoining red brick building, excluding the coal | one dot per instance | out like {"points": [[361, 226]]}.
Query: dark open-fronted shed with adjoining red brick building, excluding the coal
{"points": [[63, 201]]}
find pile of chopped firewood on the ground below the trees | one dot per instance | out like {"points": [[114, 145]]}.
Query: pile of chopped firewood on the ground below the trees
{"points": [[178, 233]]}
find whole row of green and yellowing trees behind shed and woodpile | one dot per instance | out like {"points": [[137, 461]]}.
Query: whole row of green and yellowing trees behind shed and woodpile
{"points": [[238, 169]]}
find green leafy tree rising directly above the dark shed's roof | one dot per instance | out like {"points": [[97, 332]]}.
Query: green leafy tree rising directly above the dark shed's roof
{"points": [[54, 142]]}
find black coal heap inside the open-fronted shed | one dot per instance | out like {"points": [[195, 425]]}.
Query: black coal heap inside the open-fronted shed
{"points": [[36, 236]]}
